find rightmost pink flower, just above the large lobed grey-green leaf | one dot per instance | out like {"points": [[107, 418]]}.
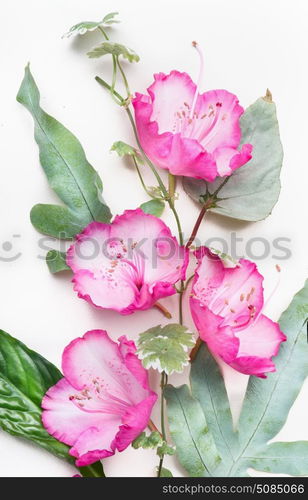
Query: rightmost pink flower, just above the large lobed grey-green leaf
{"points": [[226, 305]]}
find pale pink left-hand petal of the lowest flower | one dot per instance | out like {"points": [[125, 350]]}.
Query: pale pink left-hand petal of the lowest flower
{"points": [[61, 418]]}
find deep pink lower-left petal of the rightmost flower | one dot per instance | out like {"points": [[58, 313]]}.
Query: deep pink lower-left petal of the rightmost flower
{"points": [[221, 341]]}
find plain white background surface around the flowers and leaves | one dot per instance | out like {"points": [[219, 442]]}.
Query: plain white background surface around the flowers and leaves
{"points": [[249, 46]]}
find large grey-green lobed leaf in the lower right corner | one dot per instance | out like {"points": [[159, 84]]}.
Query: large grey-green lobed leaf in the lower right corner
{"points": [[265, 409]]}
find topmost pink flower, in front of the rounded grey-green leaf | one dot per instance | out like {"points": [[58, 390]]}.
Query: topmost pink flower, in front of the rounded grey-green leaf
{"points": [[188, 133]]}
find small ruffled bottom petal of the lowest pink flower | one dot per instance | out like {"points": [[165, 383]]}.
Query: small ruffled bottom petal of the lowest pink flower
{"points": [[95, 443]]}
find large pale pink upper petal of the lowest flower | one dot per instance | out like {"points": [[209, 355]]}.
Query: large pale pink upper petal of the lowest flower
{"points": [[101, 361]]}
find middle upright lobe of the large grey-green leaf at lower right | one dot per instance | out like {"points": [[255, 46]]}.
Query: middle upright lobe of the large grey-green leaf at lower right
{"points": [[209, 388]]}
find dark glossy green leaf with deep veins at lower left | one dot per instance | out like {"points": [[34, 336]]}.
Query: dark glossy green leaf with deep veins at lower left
{"points": [[25, 377]]}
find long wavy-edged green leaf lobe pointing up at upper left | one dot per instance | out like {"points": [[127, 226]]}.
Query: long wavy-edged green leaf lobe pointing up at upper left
{"points": [[63, 159]]}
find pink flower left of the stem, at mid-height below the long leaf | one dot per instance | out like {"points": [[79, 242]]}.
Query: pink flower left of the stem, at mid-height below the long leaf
{"points": [[128, 264]]}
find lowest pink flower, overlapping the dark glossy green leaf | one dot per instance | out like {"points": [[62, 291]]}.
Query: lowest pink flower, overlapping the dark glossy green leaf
{"points": [[103, 402]]}
